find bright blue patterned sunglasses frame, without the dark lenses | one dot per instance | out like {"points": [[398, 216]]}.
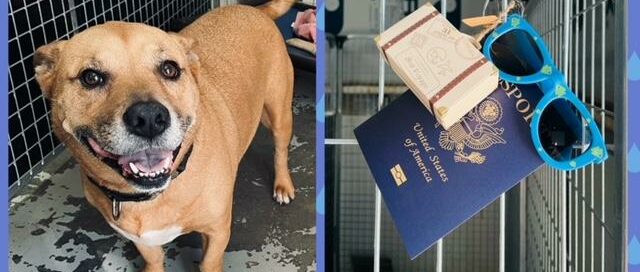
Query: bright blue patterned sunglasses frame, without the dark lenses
{"points": [[553, 85]]}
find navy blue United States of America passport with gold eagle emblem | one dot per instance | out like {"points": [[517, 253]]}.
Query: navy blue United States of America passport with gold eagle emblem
{"points": [[433, 180]]}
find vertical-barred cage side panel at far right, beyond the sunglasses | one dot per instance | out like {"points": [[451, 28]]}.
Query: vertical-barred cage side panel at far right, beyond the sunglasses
{"points": [[573, 218]]}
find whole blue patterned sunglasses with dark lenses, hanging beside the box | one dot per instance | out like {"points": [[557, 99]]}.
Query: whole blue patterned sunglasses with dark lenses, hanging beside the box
{"points": [[564, 133]]}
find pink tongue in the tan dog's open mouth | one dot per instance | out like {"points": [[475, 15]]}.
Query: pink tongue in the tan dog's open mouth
{"points": [[148, 160]]}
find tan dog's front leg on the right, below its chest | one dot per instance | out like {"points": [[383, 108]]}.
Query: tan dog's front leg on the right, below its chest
{"points": [[214, 244]]}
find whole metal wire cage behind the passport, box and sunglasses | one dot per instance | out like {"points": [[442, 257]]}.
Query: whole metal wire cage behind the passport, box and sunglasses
{"points": [[553, 221]]}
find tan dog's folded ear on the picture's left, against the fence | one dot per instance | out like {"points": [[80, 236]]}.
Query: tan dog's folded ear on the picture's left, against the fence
{"points": [[45, 60]]}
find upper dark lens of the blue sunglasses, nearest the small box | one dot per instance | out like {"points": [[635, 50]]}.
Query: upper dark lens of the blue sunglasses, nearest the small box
{"points": [[516, 53]]}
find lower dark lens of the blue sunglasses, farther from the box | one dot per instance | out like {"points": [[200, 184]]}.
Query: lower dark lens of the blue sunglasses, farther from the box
{"points": [[564, 132]]}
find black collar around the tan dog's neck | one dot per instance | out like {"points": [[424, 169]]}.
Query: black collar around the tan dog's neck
{"points": [[118, 197]]}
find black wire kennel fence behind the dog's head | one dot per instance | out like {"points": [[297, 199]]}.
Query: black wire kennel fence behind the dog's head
{"points": [[36, 23]]}
